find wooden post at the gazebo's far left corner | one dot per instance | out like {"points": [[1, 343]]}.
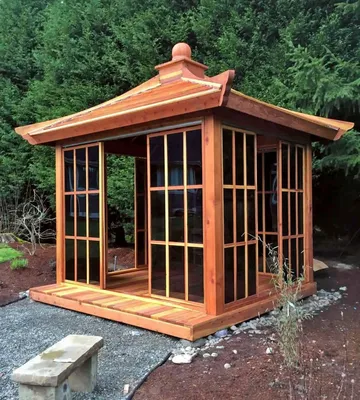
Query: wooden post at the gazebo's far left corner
{"points": [[60, 216]]}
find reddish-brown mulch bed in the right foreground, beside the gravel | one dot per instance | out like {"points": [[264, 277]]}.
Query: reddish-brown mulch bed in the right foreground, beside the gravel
{"points": [[256, 375]]}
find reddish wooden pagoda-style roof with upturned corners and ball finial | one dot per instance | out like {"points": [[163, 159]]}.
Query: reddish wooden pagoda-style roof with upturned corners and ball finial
{"points": [[181, 87]]}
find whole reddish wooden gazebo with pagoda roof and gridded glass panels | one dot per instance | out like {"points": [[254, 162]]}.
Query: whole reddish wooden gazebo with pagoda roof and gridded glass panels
{"points": [[219, 175]]}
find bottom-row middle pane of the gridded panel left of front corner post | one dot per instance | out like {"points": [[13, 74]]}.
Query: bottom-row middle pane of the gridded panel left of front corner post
{"points": [[176, 272]]}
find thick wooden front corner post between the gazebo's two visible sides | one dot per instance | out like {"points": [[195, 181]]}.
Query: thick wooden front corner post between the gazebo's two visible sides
{"points": [[213, 217]]}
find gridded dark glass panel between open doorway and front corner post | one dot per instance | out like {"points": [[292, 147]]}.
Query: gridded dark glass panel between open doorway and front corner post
{"points": [[176, 214]]}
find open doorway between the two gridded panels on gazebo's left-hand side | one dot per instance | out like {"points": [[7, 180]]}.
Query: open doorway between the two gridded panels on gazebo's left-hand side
{"points": [[126, 214]]}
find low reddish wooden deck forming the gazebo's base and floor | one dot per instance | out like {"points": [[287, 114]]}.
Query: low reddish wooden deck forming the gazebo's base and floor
{"points": [[130, 303]]}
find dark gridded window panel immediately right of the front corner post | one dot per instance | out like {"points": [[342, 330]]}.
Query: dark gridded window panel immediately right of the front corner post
{"points": [[239, 204]]}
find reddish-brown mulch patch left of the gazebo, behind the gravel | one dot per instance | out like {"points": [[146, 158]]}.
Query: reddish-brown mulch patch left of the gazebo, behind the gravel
{"points": [[41, 270]]}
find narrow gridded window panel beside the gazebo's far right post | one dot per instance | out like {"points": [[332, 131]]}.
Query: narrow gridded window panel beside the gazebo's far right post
{"points": [[292, 206]]}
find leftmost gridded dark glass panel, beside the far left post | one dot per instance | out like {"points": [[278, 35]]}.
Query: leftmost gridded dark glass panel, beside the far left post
{"points": [[82, 214]]}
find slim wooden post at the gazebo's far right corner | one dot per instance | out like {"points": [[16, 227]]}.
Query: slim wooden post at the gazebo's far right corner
{"points": [[309, 272]]}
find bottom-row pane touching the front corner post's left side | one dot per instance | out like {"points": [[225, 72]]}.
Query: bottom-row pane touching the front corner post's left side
{"points": [[196, 274]]}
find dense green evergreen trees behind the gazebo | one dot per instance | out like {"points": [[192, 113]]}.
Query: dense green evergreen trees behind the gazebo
{"points": [[61, 56]]}
